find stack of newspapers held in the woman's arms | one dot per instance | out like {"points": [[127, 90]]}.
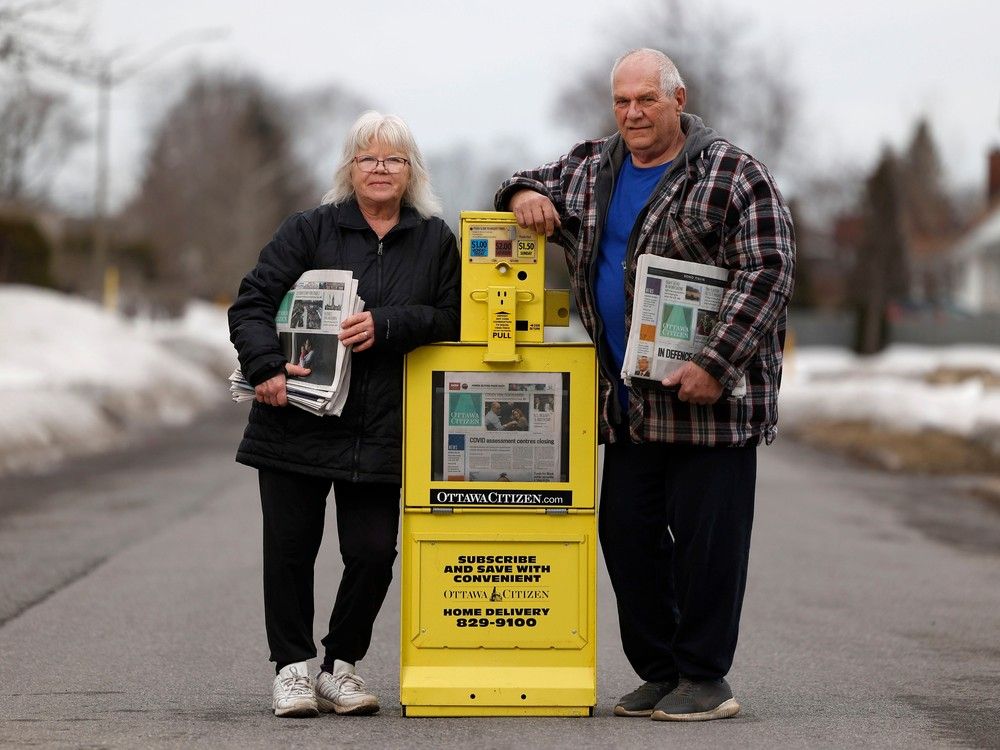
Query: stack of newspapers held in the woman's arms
{"points": [[308, 324]]}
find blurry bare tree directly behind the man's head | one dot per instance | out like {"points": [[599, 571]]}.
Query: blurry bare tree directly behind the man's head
{"points": [[741, 88]]}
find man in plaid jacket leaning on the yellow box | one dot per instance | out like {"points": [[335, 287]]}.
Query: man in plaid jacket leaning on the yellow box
{"points": [[680, 456]]}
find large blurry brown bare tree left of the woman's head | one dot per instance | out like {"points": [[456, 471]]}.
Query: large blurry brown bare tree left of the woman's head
{"points": [[220, 176]]}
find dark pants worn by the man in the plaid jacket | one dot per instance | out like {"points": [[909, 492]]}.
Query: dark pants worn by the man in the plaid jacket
{"points": [[675, 524]]}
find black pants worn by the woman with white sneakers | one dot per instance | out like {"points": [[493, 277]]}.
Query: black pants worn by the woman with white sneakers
{"points": [[294, 507]]}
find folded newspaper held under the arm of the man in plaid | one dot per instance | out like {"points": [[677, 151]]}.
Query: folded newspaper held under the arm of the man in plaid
{"points": [[674, 309]]}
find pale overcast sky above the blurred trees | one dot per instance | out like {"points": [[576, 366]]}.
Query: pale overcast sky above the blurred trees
{"points": [[482, 73]]}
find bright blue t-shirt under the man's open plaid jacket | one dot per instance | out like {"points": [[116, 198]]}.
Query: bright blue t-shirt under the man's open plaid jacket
{"points": [[634, 187]]}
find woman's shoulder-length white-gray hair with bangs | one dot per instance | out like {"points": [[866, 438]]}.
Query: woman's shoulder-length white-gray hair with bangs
{"points": [[391, 132]]}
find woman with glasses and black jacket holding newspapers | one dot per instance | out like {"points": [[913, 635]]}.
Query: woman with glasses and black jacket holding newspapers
{"points": [[378, 221]]}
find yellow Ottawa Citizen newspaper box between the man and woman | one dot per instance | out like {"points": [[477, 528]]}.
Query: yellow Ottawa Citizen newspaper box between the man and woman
{"points": [[499, 482]]}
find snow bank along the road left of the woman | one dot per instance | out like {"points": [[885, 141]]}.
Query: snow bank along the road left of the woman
{"points": [[78, 380]]}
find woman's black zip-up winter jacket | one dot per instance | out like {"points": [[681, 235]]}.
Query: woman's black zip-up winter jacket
{"points": [[409, 281]]}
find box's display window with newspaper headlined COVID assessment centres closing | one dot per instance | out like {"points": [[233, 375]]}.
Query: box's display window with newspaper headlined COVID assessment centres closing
{"points": [[501, 427]]}
